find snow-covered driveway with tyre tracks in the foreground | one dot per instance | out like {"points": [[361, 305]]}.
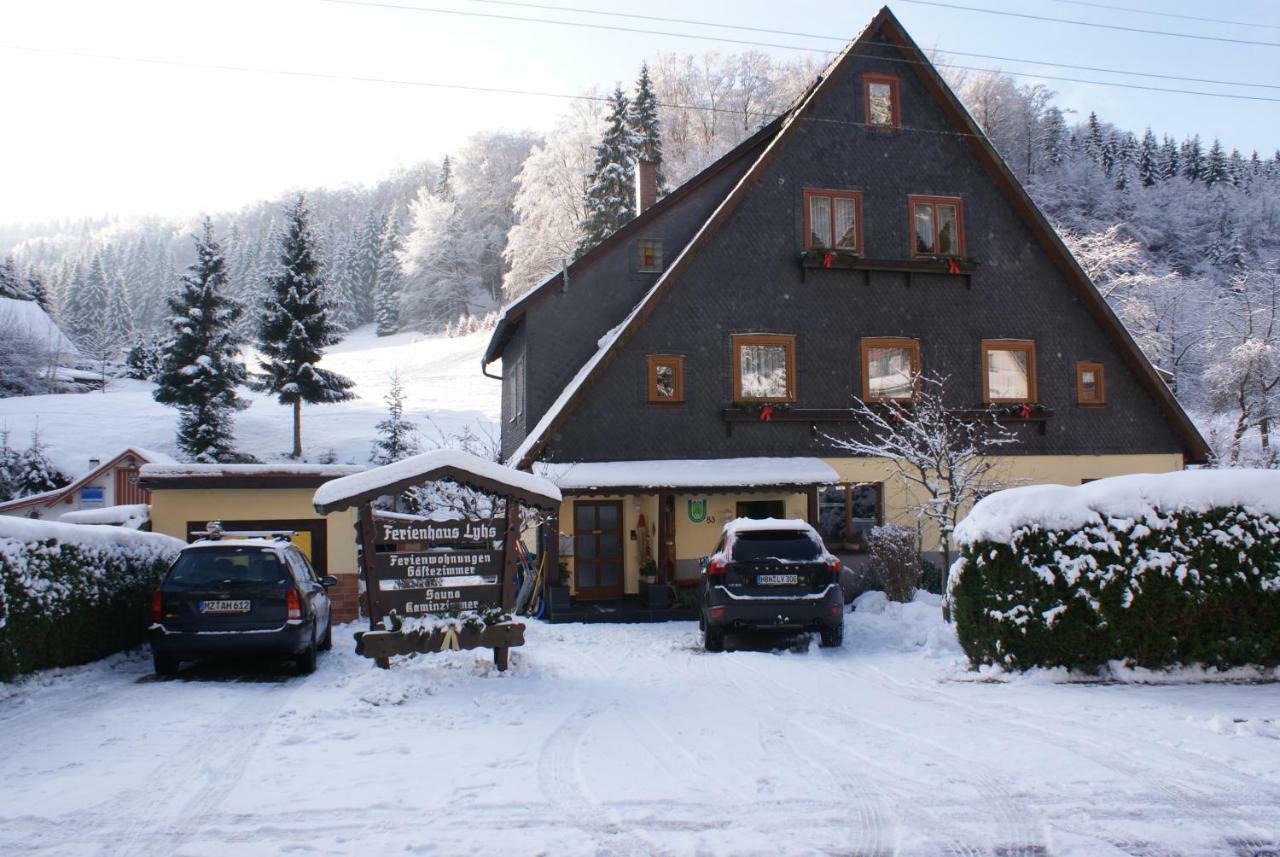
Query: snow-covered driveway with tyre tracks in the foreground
{"points": [[628, 740]]}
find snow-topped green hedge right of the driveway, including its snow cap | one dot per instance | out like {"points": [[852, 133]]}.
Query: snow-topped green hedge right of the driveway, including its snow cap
{"points": [[1149, 570]]}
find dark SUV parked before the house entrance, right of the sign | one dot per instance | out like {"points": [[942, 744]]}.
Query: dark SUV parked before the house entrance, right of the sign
{"points": [[771, 575]]}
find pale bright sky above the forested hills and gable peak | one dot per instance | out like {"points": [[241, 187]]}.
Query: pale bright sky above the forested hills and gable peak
{"points": [[86, 136]]}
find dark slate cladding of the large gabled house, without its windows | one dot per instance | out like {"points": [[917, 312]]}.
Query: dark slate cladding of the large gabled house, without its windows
{"points": [[747, 278]]}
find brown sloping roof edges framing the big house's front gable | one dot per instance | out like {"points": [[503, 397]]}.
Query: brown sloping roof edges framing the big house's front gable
{"points": [[886, 25]]}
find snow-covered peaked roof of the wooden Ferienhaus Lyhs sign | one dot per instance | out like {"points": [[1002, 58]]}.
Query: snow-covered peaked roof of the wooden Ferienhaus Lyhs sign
{"points": [[451, 465]]}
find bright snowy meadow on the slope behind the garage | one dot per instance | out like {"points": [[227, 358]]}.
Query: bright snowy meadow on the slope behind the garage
{"points": [[442, 381]]}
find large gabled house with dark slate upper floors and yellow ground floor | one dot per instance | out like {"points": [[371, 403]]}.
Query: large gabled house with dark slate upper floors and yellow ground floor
{"points": [[692, 368]]}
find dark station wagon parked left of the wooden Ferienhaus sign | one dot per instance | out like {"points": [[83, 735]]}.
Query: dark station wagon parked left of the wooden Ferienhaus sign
{"points": [[240, 597]]}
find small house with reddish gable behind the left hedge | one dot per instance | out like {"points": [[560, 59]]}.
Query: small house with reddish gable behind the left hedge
{"points": [[112, 482]]}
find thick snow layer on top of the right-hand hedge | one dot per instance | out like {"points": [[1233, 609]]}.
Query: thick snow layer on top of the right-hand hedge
{"points": [[1136, 497]]}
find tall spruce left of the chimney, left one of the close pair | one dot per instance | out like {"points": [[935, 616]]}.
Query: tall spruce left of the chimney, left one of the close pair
{"points": [[610, 201]]}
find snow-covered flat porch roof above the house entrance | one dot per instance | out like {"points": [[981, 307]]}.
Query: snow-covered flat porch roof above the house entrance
{"points": [[688, 474]]}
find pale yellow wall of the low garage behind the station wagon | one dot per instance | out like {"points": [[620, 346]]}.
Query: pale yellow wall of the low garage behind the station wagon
{"points": [[173, 508]]}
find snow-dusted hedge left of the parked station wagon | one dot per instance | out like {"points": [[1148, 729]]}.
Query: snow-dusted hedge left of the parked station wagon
{"points": [[72, 593]]}
